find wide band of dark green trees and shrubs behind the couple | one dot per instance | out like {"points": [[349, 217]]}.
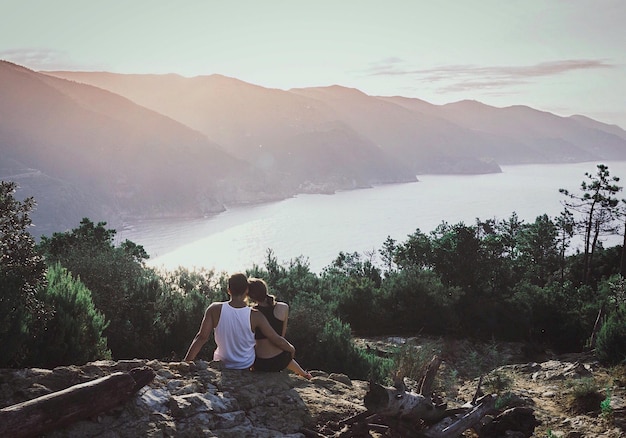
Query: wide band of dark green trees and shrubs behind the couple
{"points": [[495, 280]]}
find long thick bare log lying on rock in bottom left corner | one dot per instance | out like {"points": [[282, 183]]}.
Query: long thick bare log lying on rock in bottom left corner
{"points": [[58, 409]]}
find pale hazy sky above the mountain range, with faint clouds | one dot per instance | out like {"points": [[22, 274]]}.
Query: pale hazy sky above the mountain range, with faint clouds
{"points": [[562, 56]]}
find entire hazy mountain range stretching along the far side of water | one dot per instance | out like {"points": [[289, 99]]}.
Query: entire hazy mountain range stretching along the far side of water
{"points": [[115, 146]]}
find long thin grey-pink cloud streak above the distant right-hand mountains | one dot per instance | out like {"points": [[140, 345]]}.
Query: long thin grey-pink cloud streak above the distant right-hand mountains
{"points": [[454, 78]]}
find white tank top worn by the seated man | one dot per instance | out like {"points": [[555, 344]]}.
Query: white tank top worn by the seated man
{"points": [[234, 338]]}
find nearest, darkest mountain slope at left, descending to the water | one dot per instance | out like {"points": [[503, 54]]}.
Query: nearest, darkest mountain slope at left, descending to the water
{"points": [[85, 152]]}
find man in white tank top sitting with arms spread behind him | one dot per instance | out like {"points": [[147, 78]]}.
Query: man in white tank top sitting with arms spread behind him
{"points": [[235, 323]]}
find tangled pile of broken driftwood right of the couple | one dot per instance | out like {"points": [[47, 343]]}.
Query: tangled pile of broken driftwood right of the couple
{"points": [[399, 412]]}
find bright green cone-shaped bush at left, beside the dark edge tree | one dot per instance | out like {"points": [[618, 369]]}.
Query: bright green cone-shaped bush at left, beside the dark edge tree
{"points": [[74, 334]]}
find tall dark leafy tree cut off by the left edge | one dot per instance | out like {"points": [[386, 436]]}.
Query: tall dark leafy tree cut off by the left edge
{"points": [[22, 272]]}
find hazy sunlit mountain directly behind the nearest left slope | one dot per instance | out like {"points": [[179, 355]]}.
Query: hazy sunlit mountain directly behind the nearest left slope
{"points": [[299, 140]]}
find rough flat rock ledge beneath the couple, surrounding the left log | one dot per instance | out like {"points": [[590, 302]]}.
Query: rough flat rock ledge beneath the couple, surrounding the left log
{"points": [[183, 400]]}
